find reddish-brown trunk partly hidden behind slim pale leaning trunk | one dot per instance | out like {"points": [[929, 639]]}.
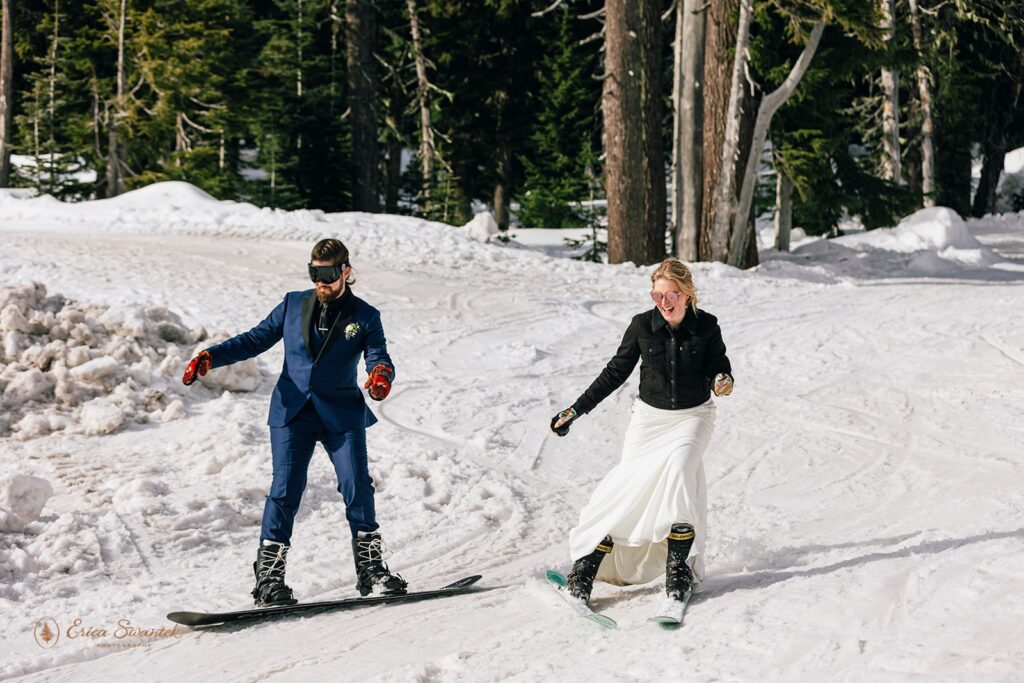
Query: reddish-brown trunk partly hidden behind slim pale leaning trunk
{"points": [[721, 37]]}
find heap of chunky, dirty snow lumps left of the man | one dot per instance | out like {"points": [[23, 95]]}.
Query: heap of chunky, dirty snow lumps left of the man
{"points": [[87, 369]]}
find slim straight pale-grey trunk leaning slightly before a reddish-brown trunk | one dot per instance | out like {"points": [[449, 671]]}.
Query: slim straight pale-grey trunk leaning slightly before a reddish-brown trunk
{"points": [[726, 199]]}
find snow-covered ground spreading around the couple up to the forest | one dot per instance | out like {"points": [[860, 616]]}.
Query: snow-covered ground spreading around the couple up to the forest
{"points": [[866, 482]]}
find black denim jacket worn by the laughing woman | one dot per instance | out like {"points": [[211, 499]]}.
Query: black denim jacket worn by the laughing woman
{"points": [[679, 366]]}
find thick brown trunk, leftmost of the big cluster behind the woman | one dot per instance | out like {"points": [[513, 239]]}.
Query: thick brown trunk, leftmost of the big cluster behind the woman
{"points": [[632, 108]]}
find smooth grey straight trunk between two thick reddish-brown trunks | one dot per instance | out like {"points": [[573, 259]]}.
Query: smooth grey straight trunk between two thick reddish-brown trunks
{"points": [[689, 177]]}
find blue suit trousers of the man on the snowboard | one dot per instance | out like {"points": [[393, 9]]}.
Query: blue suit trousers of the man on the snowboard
{"points": [[293, 447]]}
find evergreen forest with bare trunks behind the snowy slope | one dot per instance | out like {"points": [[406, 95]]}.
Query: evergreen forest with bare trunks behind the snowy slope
{"points": [[540, 111]]}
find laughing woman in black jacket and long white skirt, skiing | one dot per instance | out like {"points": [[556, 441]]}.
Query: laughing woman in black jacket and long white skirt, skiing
{"points": [[648, 517]]}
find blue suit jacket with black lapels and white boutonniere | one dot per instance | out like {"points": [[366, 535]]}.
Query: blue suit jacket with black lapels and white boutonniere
{"points": [[328, 380]]}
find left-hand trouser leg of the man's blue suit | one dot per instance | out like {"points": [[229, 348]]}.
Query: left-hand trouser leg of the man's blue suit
{"points": [[292, 447]]}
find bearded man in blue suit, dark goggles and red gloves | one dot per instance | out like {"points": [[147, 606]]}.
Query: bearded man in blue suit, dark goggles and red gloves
{"points": [[326, 330]]}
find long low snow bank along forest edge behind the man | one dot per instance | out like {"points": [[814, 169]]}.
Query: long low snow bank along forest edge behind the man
{"points": [[178, 208]]}
